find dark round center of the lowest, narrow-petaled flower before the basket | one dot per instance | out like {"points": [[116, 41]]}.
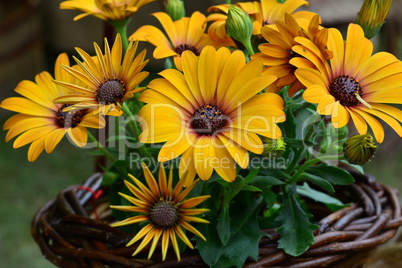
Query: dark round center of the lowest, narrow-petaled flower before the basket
{"points": [[164, 214]]}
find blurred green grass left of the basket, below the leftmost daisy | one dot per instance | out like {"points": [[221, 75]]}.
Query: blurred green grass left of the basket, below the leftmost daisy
{"points": [[25, 187]]}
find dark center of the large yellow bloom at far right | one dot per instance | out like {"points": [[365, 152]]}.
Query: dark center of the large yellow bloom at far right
{"points": [[346, 89]]}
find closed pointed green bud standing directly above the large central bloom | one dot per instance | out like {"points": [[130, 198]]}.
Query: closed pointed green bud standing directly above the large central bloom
{"points": [[239, 25]]}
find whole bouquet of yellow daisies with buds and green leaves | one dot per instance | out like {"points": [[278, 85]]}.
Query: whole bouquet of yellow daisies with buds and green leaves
{"points": [[249, 118]]}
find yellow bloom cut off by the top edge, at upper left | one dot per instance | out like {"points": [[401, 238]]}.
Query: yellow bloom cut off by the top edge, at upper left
{"points": [[105, 9]]}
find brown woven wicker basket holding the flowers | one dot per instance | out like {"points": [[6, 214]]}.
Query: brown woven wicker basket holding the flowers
{"points": [[70, 234]]}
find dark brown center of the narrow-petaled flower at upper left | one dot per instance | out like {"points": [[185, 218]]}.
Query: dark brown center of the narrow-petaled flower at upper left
{"points": [[111, 91]]}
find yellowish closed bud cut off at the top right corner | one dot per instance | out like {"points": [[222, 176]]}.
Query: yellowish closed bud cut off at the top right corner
{"points": [[372, 16]]}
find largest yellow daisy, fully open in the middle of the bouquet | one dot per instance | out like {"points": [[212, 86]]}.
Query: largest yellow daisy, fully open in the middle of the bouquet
{"points": [[211, 113]]}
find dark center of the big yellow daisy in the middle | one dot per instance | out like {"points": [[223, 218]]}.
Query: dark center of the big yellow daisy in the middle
{"points": [[208, 119]]}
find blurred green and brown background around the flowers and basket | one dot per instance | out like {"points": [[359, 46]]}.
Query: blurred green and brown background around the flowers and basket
{"points": [[32, 34]]}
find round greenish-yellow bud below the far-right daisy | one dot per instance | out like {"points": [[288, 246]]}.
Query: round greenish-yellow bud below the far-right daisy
{"points": [[359, 149]]}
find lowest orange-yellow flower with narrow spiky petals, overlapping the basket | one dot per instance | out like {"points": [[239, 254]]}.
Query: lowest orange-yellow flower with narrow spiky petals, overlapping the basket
{"points": [[164, 208]]}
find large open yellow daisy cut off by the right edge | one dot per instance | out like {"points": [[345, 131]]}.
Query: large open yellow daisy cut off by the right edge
{"points": [[354, 84]]}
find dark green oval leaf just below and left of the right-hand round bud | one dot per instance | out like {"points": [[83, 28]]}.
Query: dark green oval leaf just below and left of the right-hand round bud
{"points": [[332, 174]]}
